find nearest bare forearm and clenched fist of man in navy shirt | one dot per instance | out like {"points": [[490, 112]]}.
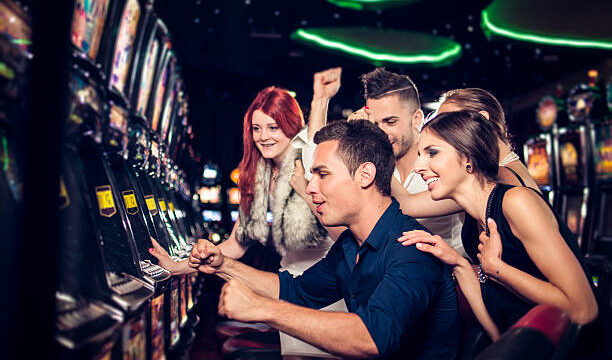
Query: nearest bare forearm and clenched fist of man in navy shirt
{"points": [[343, 334]]}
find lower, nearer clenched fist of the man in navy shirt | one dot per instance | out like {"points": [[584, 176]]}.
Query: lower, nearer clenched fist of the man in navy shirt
{"points": [[240, 303]]}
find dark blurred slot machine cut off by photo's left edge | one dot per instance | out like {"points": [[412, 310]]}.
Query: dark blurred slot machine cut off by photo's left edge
{"points": [[15, 57]]}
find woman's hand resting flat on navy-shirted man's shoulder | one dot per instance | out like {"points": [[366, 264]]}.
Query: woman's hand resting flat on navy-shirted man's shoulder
{"points": [[432, 244]]}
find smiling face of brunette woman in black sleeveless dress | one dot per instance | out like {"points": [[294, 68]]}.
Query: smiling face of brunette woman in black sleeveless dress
{"points": [[440, 165]]}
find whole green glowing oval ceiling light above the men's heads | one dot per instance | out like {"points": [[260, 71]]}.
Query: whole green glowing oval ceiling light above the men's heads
{"points": [[383, 46]]}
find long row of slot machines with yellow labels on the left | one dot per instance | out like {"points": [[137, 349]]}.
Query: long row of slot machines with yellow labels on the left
{"points": [[119, 187]]}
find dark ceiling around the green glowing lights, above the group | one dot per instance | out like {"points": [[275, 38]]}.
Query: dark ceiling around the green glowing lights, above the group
{"points": [[229, 49]]}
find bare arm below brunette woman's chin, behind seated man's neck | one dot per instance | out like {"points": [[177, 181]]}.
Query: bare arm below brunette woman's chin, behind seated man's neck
{"points": [[421, 205]]}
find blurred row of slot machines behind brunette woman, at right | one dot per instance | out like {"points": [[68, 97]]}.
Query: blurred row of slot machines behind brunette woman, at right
{"points": [[571, 162]]}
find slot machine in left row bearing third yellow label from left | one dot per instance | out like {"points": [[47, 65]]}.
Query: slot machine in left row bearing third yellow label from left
{"points": [[148, 104]]}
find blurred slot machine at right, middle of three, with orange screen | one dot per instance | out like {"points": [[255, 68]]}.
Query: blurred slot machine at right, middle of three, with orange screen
{"points": [[572, 149]]}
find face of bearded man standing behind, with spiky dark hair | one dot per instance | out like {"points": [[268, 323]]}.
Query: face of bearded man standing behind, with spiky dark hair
{"points": [[395, 119]]}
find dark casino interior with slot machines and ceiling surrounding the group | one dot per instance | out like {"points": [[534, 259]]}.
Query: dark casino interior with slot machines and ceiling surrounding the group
{"points": [[133, 110]]}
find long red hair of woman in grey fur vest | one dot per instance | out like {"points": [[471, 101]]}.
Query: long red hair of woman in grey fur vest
{"points": [[284, 109]]}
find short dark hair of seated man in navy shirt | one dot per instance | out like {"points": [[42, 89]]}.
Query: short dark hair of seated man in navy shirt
{"points": [[360, 141]]}
